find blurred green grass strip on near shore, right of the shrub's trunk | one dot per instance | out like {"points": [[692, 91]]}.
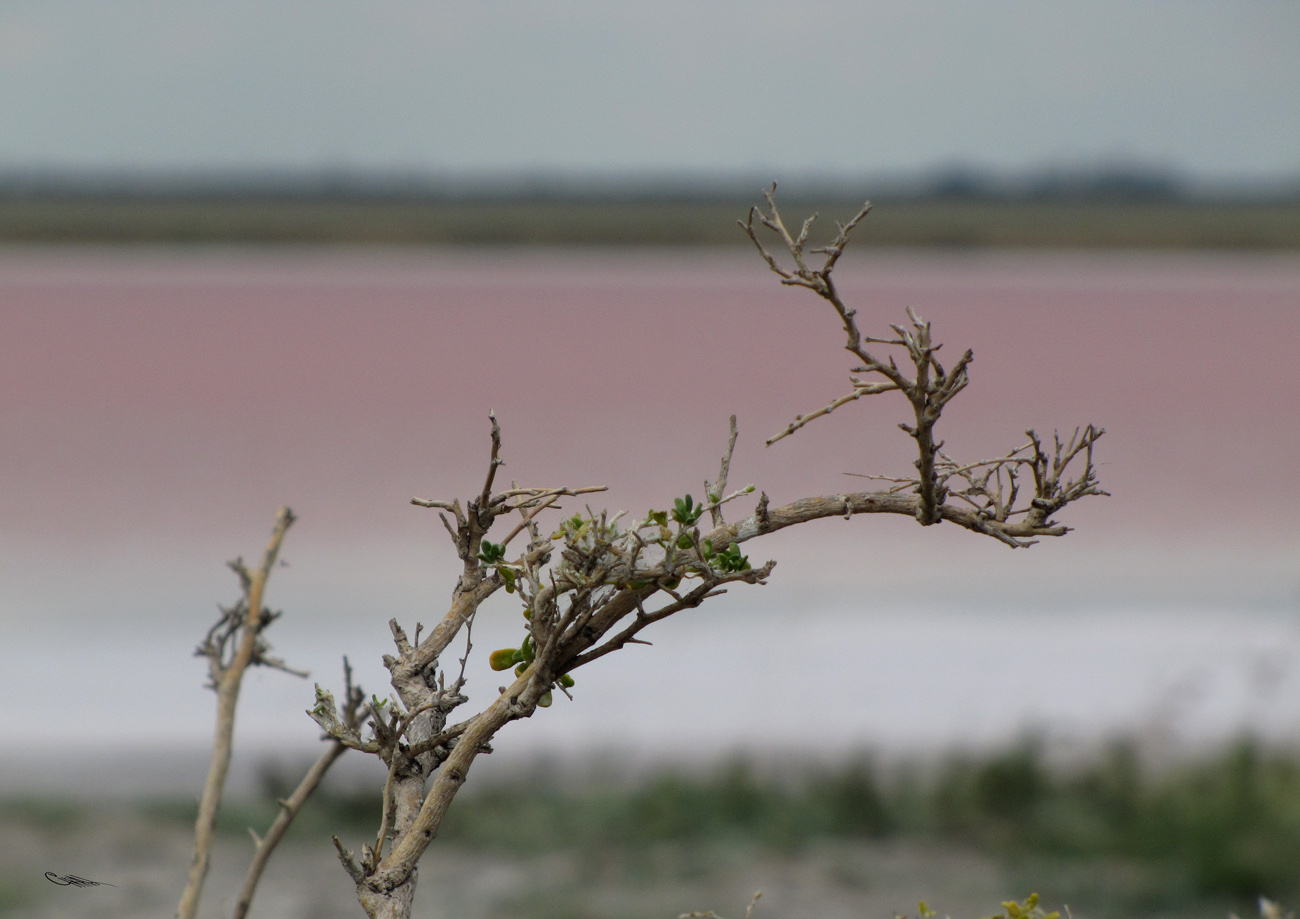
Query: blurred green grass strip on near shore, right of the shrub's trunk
{"points": [[1225, 825]]}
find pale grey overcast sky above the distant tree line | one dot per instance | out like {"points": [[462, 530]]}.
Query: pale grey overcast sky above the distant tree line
{"points": [[770, 88]]}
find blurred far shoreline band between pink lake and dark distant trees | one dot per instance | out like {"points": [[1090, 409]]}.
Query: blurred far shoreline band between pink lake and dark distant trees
{"points": [[963, 218]]}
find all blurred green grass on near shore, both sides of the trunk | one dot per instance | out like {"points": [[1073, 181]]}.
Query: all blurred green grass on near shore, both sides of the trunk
{"points": [[1112, 833]]}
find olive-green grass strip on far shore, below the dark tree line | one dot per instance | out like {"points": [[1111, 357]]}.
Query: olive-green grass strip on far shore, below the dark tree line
{"points": [[943, 223]]}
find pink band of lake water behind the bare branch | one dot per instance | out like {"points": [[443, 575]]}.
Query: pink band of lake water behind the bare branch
{"points": [[151, 391]]}
